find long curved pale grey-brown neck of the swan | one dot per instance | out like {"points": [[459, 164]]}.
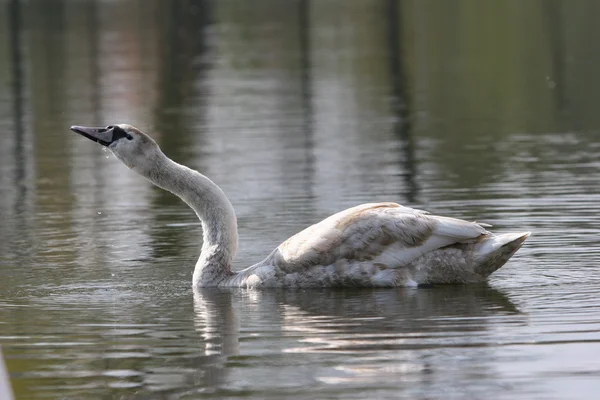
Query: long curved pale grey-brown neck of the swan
{"points": [[219, 224]]}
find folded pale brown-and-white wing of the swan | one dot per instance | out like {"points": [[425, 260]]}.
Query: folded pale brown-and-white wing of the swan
{"points": [[383, 233]]}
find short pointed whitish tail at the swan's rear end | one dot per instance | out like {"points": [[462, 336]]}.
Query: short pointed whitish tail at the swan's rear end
{"points": [[494, 252]]}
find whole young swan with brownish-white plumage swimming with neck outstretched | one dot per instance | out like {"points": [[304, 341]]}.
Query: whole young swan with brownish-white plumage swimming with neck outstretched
{"points": [[370, 245]]}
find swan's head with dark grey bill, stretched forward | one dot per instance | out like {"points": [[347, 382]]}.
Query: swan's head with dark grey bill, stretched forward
{"points": [[130, 145]]}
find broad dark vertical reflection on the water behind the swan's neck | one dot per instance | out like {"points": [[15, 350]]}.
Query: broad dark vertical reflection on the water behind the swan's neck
{"points": [[181, 97]]}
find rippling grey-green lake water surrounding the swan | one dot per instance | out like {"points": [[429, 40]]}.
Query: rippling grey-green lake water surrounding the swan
{"points": [[298, 109]]}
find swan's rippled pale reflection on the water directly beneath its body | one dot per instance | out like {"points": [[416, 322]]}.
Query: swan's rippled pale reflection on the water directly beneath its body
{"points": [[403, 334]]}
